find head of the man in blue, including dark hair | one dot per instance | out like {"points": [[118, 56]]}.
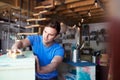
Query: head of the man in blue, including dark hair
{"points": [[50, 32]]}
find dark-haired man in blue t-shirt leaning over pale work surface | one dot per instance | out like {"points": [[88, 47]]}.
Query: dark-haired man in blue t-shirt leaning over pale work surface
{"points": [[48, 53]]}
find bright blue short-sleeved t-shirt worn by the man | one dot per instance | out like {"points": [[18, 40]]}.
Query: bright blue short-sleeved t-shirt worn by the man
{"points": [[45, 54]]}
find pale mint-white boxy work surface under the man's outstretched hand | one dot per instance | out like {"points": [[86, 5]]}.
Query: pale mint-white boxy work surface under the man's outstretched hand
{"points": [[20, 68]]}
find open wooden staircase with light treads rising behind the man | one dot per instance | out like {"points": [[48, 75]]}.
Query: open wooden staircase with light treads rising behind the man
{"points": [[43, 9]]}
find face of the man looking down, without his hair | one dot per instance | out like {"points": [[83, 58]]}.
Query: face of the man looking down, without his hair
{"points": [[49, 35]]}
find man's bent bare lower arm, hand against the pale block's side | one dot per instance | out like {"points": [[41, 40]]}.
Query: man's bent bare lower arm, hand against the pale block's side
{"points": [[50, 67]]}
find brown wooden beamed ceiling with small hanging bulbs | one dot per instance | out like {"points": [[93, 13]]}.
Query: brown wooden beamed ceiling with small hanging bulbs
{"points": [[68, 11]]}
